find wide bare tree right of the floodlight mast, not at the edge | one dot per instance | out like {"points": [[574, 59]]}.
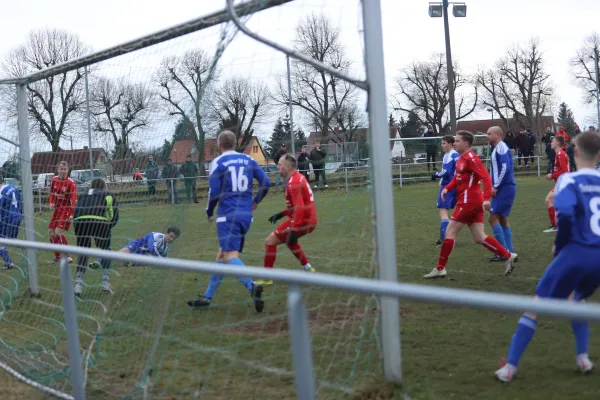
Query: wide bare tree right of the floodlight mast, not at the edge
{"points": [[518, 84]]}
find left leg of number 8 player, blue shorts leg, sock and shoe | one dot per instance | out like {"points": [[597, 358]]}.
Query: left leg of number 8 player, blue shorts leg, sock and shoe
{"points": [[559, 281]]}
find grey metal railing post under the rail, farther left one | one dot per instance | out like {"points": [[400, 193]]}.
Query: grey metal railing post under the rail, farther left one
{"points": [[72, 332]]}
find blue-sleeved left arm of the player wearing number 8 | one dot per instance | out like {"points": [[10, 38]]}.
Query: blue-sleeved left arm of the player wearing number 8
{"points": [[565, 201]]}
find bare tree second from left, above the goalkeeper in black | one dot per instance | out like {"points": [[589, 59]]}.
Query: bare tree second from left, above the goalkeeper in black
{"points": [[121, 109]]}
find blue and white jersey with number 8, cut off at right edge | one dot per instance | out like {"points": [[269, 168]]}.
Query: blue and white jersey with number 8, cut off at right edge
{"points": [[577, 197]]}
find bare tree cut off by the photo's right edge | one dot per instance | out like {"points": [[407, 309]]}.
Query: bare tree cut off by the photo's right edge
{"points": [[583, 68]]}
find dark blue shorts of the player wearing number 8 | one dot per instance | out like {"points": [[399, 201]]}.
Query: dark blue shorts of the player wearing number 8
{"points": [[575, 269]]}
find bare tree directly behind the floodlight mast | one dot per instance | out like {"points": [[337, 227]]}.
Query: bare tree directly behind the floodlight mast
{"points": [[423, 88]]}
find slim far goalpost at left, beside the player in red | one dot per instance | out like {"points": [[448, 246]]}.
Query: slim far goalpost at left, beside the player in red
{"points": [[27, 187]]}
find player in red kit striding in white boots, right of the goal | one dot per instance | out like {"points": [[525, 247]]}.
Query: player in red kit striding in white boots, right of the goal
{"points": [[470, 206]]}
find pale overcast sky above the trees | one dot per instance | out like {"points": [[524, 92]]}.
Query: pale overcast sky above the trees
{"points": [[409, 35]]}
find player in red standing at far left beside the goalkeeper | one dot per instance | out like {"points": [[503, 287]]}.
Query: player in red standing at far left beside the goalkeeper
{"points": [[63, 196]]}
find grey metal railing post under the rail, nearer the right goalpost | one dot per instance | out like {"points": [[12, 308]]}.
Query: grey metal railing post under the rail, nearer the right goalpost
{"points": [[301, 347]]}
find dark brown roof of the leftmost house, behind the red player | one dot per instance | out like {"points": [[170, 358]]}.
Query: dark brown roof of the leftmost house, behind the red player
{"points": [[45, 162]]}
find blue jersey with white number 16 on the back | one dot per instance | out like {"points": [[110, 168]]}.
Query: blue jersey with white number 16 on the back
{"points": [[230, 184]]}
